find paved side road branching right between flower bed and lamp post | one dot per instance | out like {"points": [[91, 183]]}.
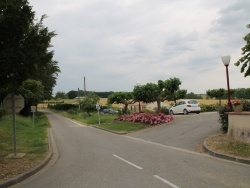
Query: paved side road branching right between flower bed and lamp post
{"points": [[185, 131]]}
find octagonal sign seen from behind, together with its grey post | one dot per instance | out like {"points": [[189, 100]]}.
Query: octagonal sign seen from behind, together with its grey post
{"points": [[13, 104]]}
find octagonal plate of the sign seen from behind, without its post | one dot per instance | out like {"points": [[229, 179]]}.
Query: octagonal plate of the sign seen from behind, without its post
{"points": [[13, 101]]}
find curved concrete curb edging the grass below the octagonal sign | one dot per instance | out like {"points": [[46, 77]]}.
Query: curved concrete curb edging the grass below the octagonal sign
{"points": [[33, 170]]}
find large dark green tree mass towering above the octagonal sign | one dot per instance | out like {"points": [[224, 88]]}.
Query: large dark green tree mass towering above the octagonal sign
{"points": [[24, 48]]}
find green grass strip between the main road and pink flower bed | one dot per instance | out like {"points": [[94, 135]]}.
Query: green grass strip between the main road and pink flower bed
{"points": [[106, 122]]}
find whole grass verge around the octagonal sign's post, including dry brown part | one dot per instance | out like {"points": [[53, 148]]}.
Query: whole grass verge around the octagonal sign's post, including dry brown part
{"points": [[32, 140]]}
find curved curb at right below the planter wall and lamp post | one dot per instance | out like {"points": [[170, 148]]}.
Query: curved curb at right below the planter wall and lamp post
{"points": [[224, 156]]}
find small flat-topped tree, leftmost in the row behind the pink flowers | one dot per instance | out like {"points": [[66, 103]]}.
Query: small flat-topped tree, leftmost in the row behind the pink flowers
{"points": [[125, 98]]}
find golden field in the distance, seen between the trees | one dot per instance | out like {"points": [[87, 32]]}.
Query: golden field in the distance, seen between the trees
{"points": [[103, 101]]}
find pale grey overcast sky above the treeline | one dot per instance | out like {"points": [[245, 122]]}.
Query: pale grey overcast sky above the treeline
{"points": [[117, 44]]}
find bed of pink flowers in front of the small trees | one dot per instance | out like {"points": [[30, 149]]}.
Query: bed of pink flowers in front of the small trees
{"points": [[152, 119]]}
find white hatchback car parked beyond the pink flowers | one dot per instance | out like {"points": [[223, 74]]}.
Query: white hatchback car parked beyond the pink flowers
{"points": [[185, 107]]}
